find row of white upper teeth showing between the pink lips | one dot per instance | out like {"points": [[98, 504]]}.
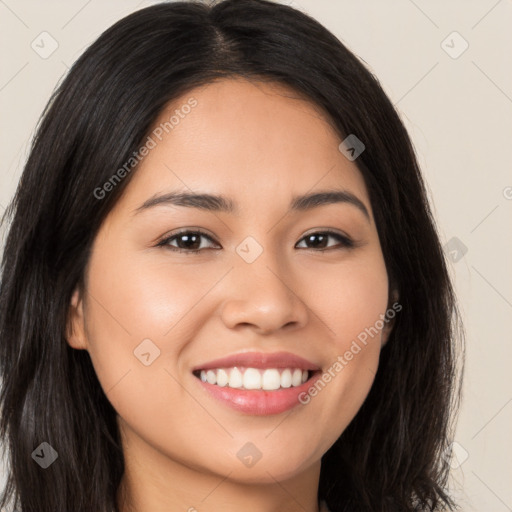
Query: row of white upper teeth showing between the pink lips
{"points": [[253, 378]]}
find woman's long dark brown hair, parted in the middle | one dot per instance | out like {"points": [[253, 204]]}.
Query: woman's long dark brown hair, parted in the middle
{"points": [[393, 454]]}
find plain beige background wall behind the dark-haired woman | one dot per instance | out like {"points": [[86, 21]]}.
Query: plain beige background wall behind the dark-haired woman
{"points": [[459, 114]]}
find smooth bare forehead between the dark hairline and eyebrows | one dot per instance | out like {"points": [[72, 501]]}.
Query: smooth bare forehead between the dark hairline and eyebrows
{"points": [[253, 141]]}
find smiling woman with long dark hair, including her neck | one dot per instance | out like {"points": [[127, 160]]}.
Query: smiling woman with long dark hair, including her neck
{"points": [[177, 331]]}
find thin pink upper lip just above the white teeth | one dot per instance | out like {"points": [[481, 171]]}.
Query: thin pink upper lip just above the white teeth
{"points": [[260, 360]]}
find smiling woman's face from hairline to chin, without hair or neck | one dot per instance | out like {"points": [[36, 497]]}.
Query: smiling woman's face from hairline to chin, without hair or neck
{"points": [[261, 290]]}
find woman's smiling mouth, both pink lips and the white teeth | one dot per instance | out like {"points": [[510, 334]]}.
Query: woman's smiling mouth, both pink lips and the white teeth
{"points": [[257, 383]]}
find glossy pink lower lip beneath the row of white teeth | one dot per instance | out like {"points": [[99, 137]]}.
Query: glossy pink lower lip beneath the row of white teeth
{"points": [[259, 402]]}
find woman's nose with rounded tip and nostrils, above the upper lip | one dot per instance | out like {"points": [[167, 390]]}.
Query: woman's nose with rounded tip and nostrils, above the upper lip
{"points": [[264, 296]]}
